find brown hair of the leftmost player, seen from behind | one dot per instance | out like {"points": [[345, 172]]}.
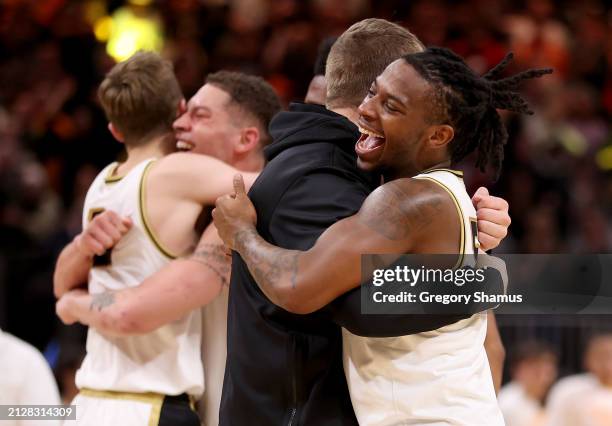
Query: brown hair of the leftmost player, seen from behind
{"points": [[140, 96]]}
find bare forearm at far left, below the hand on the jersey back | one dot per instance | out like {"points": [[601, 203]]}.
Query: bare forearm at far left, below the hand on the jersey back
{"points": [[71, 270]]}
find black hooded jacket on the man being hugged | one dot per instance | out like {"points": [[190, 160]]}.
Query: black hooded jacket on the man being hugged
{"points": [[282, 368]]}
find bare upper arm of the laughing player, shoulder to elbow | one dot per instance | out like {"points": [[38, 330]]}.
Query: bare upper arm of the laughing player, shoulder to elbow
{"points": [[390, 221]]}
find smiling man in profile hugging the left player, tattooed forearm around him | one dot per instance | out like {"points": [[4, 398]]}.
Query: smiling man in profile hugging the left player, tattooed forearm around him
{"points": [[227, 107]]}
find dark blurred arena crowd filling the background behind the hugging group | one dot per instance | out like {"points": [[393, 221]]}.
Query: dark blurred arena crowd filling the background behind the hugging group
{"points": [[53, 136]]}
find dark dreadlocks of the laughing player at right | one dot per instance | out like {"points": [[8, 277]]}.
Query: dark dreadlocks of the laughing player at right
{"points": [[469, 102]]}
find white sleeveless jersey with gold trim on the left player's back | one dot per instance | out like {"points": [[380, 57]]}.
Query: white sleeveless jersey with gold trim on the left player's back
{"points": [[165, 361]]}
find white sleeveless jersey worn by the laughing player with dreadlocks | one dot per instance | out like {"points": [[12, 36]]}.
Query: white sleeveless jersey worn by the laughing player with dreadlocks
{"points": [[441, 377]]}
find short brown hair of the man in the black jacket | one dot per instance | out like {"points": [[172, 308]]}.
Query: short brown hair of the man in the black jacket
{"points": [[362, 53]]}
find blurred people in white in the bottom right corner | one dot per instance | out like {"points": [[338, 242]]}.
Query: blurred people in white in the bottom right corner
{"points": [[533, 398]]}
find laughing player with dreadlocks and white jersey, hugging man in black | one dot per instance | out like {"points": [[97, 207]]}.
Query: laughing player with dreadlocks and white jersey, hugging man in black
{"points": [[425, 112]]}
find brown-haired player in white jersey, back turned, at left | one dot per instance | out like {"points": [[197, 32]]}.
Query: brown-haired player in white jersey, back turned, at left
{"points": [[151, 378]]}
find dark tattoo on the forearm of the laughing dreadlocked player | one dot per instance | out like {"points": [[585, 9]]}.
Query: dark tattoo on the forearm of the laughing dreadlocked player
{"points": [[270, 266]]}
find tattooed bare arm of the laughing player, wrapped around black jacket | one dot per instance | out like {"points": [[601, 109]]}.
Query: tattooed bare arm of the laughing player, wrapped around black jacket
{"points": [[390, 221]]}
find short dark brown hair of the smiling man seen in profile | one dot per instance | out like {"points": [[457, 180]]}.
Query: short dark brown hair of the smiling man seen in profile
{"points": [[250, 93]]}
